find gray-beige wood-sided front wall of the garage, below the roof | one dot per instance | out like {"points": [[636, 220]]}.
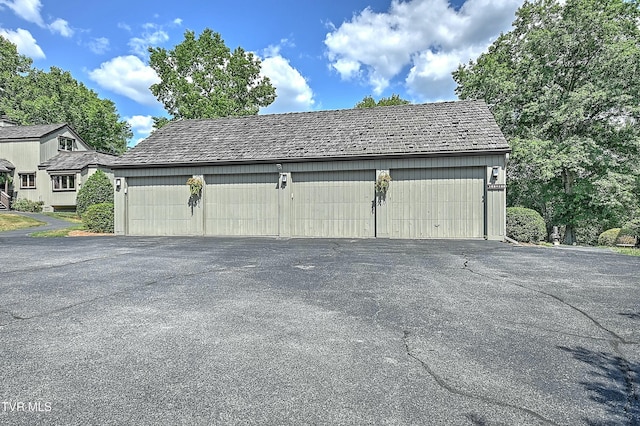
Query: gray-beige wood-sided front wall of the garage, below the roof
{"points": [[431, 197]]}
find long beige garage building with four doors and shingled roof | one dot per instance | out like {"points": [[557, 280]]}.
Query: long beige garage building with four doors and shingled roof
{"points": [[314, 174]]}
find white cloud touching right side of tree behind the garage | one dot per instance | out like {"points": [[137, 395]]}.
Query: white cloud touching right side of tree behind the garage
{"points": [[292, 89]]}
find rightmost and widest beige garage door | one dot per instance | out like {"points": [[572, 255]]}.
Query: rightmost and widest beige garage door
{"points": [[437, 203]]}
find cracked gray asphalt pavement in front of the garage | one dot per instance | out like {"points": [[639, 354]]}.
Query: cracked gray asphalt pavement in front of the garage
{"points": [[146, 331]]}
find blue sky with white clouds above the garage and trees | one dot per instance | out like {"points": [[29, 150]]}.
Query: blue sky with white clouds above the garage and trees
{"points": [[319, 54]]}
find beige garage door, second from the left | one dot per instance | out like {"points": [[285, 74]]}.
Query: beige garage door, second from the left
{"points": [[241, 204]]}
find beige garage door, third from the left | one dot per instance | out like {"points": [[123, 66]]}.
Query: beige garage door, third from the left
{"points": [[333, 204]]}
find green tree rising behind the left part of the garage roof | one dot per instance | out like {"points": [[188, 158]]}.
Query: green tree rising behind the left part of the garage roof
{"points": [[202, 78]]}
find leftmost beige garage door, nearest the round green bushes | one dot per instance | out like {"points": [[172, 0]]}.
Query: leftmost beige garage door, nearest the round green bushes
{"points": [[159, 206]]}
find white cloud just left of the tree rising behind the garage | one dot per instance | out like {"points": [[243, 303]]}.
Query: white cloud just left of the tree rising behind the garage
{"points": [[127, 76]]}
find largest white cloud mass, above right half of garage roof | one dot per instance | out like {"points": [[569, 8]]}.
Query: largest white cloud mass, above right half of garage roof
{"points": [[427, 37]]}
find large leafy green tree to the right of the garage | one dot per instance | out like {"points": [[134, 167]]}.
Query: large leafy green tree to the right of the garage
{"points": [[563, 87]]}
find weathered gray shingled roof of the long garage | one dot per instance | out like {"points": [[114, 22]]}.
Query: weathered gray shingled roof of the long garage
{"points": [[425, 129]]}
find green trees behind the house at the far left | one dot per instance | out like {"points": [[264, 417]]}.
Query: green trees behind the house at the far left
{"points": [[32, 96]]}
